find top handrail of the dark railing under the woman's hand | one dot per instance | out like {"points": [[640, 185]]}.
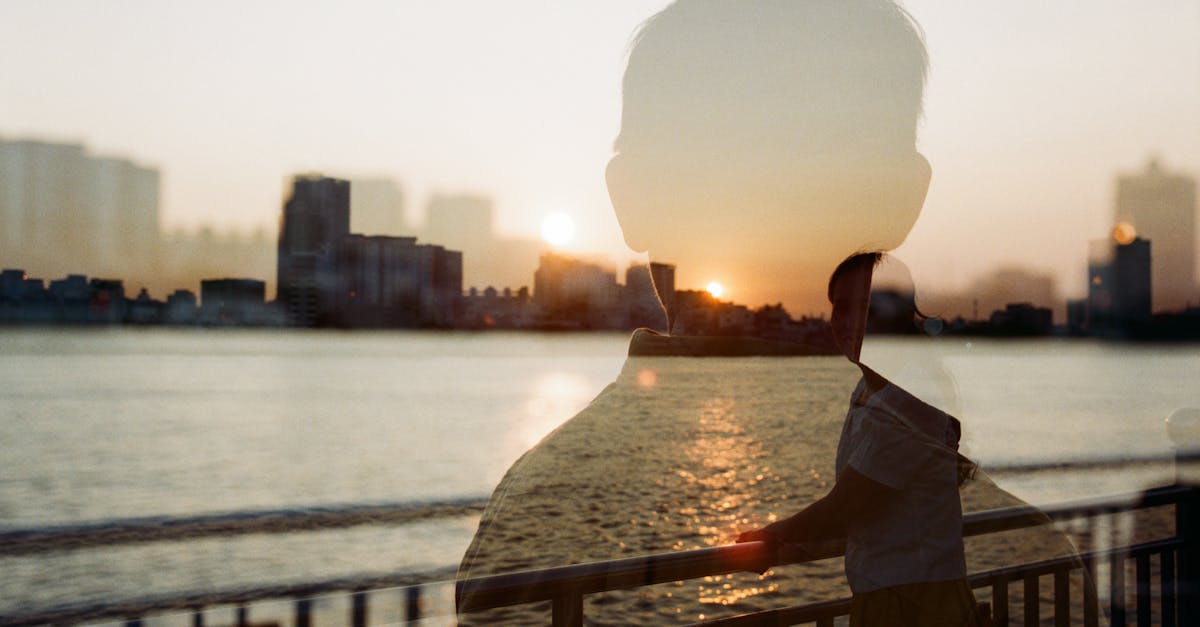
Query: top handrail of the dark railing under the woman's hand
{"points": [[525, 587]]}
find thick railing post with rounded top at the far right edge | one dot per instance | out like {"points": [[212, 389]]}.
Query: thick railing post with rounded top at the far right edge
{"points": [[1184, 428]]}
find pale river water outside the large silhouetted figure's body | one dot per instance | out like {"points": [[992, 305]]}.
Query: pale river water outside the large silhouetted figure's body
{"points": [[101, 425]]}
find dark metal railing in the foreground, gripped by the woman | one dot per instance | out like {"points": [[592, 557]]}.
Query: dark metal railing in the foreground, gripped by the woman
{"points": [[567, 587]]}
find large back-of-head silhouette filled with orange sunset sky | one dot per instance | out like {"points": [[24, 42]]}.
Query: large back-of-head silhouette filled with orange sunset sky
{"points": [[765, 142]]}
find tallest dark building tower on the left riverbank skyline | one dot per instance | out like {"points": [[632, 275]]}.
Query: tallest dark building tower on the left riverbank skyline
{"points": [[316, 220]]}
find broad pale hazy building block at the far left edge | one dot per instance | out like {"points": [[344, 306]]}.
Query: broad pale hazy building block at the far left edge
{"points": [[65, 210]]}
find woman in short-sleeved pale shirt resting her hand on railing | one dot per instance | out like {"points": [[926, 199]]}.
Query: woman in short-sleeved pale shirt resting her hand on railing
{"points": [[896, 499]]}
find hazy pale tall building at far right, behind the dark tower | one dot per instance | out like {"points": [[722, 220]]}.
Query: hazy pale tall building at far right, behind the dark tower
{"points": [[1161, 207]]}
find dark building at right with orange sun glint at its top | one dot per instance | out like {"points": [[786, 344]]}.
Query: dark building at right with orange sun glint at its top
{"points": [[1120, 286]]}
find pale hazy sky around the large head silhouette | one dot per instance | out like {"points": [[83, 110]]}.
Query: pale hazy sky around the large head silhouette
{"points": [[1031, 110]]}
